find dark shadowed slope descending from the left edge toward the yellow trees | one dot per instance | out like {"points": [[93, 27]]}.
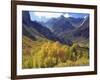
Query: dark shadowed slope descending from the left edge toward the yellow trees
{"points": [[34, 30]]}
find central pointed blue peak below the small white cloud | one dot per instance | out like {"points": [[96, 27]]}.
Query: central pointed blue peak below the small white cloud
{"points": [[59, 24]]}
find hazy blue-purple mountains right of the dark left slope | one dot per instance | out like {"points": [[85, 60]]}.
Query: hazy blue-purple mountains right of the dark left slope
{"points": [[69, 28]]}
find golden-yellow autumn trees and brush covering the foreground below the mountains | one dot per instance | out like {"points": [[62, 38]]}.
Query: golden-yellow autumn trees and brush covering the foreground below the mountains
{"points": [[44, 53]]}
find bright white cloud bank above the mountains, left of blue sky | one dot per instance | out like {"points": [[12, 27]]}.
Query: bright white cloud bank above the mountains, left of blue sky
{"points": [[44, 16]]}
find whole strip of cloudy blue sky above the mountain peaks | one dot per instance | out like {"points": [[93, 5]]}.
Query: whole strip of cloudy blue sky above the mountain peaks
{"points": [[44, 16]]}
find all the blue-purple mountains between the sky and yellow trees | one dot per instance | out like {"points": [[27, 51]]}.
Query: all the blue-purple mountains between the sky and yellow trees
{"points": [[61, 29]]}
